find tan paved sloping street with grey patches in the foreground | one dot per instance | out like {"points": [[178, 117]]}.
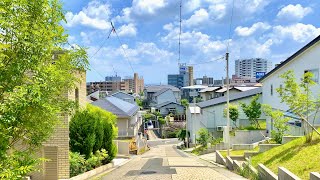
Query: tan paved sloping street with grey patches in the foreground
{"points": [[165, 162]]}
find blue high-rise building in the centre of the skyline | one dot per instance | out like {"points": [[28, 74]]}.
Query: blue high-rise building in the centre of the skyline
{"points": [[184, 78]]}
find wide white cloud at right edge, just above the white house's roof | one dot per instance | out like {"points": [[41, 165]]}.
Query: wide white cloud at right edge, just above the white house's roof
{"points": [[298, 32]]}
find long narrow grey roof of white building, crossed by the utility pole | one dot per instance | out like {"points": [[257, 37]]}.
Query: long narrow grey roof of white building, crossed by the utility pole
{"points": [[234, 97]]}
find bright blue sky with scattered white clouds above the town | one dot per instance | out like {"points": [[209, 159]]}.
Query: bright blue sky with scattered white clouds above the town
{"points": [[148, 31]]}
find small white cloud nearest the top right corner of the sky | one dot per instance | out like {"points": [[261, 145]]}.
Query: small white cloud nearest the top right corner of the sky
{"points": [[293, 13]]}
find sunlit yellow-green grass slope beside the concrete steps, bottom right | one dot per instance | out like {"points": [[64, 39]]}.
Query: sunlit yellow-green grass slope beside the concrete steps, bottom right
{"points": [[297, 156]]}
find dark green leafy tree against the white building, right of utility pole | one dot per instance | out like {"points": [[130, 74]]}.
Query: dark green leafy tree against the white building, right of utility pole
{"points": [[253, 110]]}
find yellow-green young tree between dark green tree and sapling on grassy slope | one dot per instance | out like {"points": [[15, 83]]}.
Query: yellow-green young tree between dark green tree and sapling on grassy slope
{"points": [[279, 123]]}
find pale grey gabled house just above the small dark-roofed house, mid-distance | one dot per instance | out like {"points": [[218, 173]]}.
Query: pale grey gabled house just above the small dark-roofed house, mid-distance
{"points": [[162, 96]]}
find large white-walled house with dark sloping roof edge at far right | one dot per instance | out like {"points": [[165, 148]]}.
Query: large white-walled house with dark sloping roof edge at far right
{"points": [[304, 60]]}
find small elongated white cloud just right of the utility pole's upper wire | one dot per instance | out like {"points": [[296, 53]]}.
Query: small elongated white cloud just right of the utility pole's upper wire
{"points": [[248, 31]]}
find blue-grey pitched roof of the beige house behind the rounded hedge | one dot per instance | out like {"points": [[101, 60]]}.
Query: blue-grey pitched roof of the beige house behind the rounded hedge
{"points": [[117, 106]]}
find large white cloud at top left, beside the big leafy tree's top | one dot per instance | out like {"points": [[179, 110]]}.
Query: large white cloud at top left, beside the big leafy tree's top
{"points": [[94, 15]]}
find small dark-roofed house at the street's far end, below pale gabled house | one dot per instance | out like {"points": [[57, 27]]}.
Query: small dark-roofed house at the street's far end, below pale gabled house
{"points": [[170, 107]]}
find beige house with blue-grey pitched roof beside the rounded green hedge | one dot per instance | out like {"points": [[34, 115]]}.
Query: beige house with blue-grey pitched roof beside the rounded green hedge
{"points": [[128, 116]]}
